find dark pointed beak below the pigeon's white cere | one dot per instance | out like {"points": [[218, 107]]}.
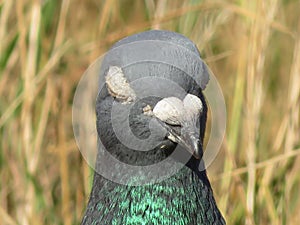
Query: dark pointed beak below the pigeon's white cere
{"points": [[188, 137]]}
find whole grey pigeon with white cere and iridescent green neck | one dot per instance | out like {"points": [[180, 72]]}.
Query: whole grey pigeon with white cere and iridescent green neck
{"points": [[151, 116]]}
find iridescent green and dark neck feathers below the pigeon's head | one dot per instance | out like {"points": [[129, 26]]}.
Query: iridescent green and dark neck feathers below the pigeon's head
{"points": [[181, 199]]}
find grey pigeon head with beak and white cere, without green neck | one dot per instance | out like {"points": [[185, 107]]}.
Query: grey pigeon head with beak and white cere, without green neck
{"points": [[152, 100]]}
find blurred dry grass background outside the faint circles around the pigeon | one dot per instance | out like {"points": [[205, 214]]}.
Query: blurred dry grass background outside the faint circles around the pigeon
{"points": [[253, 48]]}
